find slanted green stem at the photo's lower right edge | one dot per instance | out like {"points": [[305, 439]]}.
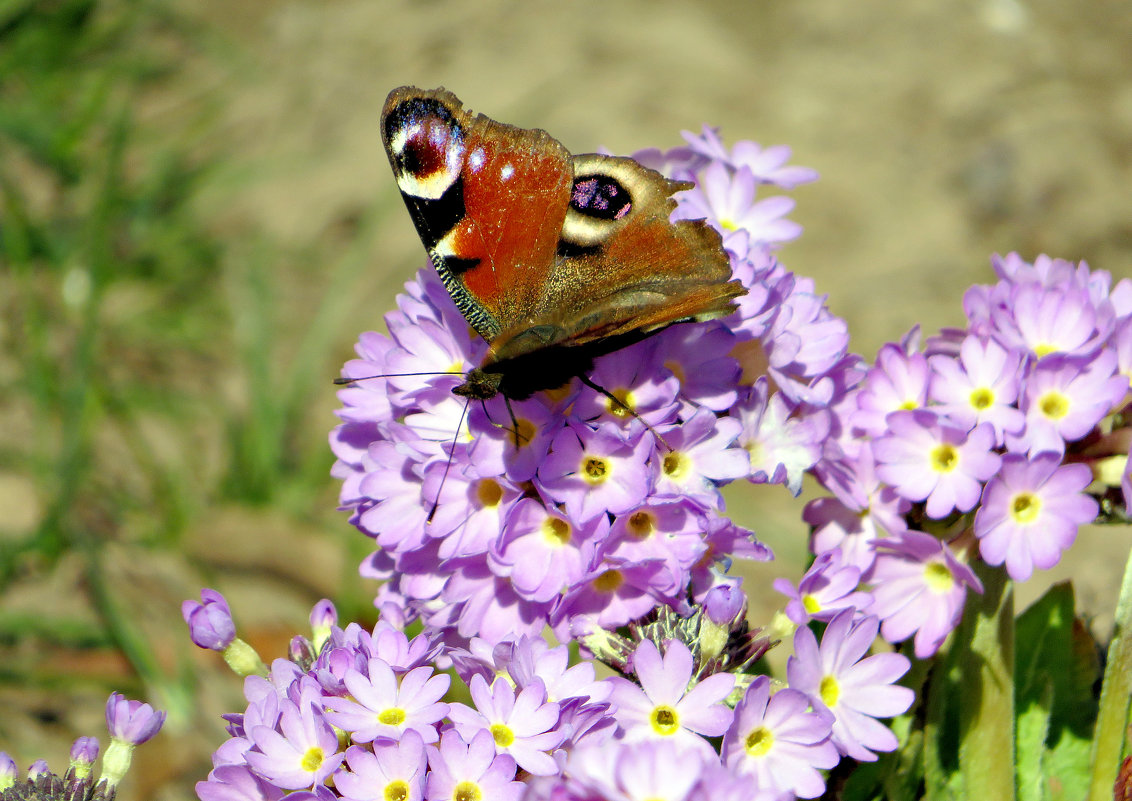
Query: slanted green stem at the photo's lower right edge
{"points": [[1113, 716]]}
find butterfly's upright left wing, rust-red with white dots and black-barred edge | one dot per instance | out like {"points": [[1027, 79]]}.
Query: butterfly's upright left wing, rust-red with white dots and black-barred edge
{"points": [[488, 201]]}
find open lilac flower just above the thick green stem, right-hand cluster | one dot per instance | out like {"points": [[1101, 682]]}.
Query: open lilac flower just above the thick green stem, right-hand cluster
{"points": [[1031, 513]]}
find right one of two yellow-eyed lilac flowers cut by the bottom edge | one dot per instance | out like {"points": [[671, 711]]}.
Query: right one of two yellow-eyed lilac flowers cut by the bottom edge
{"points": [[460, 771]]}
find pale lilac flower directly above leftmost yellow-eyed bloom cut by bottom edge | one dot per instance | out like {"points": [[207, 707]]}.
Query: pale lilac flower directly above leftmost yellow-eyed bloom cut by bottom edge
{"points": [[382, 709]]}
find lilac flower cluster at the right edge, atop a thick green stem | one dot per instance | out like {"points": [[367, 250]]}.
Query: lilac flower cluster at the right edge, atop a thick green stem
{"points": [[989, 433]]}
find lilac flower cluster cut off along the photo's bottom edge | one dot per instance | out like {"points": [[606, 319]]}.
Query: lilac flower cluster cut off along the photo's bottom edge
{"points": [[370, 719]]}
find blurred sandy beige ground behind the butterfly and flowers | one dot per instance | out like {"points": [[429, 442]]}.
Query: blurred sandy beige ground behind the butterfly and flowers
{"points": [[944, 133]]}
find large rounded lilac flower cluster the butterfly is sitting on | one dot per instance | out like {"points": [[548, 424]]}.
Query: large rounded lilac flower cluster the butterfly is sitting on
{"points": [[582, 513]]}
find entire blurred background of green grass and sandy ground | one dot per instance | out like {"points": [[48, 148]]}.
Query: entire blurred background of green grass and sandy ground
{"points": [[198, 220]]}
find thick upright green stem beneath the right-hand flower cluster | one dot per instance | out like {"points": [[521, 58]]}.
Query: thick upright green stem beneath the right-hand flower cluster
{"points": [[985, 647]]}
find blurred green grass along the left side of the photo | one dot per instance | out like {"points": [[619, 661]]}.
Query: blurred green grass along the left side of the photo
{"points": [[149, 372]]}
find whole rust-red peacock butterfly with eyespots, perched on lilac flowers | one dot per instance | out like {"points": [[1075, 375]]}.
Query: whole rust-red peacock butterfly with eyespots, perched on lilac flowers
{"points": [[554, 260]]}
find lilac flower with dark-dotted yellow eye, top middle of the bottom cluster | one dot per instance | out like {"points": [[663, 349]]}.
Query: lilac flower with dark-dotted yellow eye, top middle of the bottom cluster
{"points": [[664, 707]]}
